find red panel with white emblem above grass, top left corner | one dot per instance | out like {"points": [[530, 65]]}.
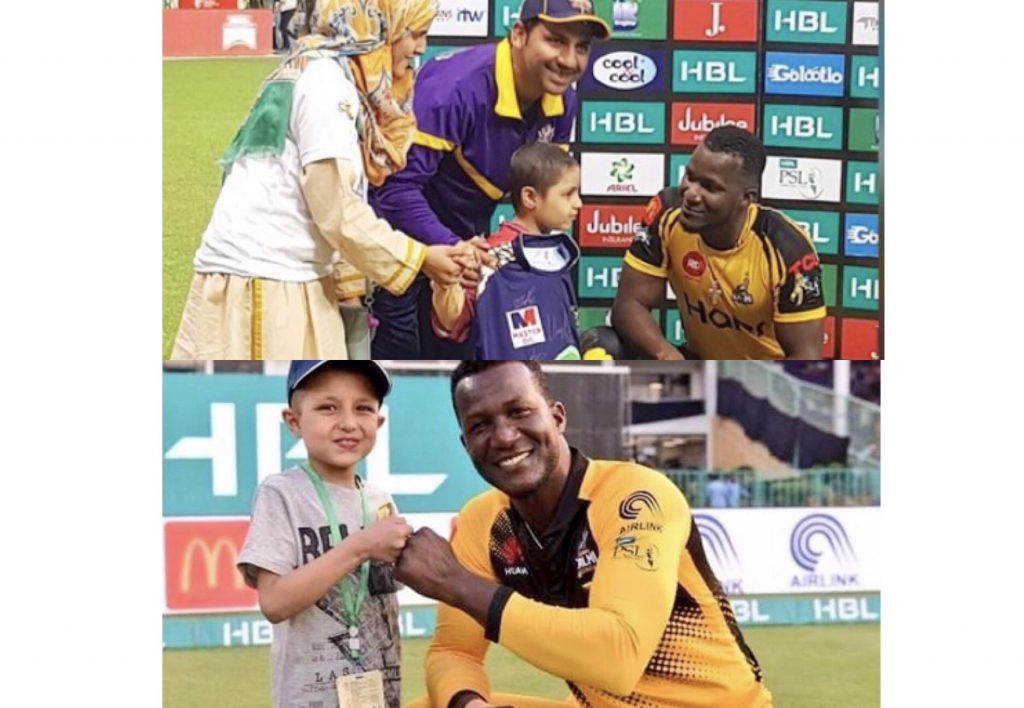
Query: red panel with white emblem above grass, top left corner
{"points": [[214, 33]]}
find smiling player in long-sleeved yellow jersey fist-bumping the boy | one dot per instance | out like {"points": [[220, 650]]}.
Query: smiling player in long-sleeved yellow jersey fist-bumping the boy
{"points": [[590, 570]]}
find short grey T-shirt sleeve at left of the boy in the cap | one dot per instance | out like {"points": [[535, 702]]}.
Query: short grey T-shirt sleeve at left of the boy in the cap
{"points": [[270, 544]]}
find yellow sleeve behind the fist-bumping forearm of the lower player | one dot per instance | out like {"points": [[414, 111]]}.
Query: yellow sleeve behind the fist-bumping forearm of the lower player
{"points": [[455, 660]]}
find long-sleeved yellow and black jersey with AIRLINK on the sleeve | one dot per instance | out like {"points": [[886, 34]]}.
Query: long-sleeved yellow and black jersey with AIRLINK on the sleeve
{"points": [[616, 597]]}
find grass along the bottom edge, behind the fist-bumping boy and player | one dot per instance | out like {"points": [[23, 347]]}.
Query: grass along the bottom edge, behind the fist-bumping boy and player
{"points": [[804, 668]]}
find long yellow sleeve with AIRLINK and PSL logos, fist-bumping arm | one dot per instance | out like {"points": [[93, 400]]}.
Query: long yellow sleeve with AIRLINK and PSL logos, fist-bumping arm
{"points": [[642, 524]]}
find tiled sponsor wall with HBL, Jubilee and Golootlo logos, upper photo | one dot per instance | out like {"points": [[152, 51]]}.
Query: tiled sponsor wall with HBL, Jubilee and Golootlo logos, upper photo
{"points": [[804, 75]]}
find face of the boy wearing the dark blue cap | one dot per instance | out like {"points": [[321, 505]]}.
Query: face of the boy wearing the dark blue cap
{"points": [[337, 417]]}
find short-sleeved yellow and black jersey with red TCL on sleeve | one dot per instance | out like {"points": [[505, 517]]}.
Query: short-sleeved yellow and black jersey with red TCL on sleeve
{"points": [[731, 301]]}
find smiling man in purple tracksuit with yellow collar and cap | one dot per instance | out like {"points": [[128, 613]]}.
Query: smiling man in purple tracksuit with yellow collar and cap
{"points": [[474, 109]]}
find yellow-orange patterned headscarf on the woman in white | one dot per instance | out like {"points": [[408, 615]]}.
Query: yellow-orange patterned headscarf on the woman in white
{"points": [[363, 31]]}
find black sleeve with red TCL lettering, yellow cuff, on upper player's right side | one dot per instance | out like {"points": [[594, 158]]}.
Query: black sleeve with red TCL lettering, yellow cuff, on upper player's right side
{"points": [[800, 294]]}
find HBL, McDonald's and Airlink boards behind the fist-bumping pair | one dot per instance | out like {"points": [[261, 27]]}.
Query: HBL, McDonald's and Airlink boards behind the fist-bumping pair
{"points": [[223, 435]]}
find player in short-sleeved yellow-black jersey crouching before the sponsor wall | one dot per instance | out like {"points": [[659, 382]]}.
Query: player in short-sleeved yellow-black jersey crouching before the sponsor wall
{"points": [[747, 279]]}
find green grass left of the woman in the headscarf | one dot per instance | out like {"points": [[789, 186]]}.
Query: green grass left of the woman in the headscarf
{"points": [[205, 103]]}
